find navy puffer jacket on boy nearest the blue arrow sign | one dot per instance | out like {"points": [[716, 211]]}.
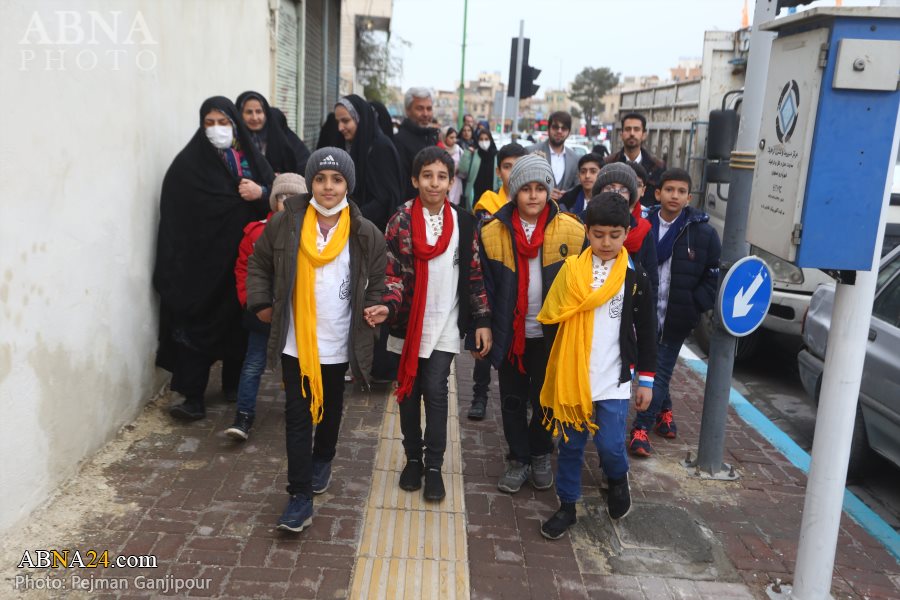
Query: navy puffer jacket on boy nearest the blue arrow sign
{"points": [[695, 274]]}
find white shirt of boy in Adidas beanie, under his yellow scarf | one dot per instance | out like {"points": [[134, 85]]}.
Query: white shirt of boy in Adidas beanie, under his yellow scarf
{"points": [[332, 292]]}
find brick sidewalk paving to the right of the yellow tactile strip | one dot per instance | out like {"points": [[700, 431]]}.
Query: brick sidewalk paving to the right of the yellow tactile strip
{"points": [[756, 520]]}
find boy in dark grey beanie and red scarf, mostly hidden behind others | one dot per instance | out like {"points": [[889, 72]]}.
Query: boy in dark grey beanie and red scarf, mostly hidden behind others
{"points": [[622, 179]]}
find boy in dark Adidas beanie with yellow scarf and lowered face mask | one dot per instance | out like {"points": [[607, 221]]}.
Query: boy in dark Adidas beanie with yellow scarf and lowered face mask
{"points": [[323, 263]]}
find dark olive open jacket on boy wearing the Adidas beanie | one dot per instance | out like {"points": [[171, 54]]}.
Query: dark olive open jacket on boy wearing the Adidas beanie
{"points": [[272, 270]]}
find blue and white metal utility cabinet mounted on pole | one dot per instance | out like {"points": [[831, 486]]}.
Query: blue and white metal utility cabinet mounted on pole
{"points": [[826, 136]]}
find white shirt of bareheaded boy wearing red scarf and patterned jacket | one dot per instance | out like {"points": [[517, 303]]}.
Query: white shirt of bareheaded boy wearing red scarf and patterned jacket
{"points": [[440, 328]]}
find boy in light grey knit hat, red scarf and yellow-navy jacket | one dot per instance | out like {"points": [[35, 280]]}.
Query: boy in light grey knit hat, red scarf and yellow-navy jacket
{"points": [[523, 248]]}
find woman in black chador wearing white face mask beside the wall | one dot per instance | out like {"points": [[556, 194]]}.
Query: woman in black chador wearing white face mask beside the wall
{"points": [[215, 186]]}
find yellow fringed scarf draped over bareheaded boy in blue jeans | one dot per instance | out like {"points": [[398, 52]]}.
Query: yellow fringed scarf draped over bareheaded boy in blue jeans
{"points": [[571, 302]]}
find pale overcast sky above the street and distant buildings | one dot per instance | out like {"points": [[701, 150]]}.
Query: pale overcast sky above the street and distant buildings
{"points": [[631, 37]]}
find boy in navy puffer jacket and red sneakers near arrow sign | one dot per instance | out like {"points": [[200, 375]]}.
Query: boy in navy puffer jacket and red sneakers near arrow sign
{"points": [[688, 251]]}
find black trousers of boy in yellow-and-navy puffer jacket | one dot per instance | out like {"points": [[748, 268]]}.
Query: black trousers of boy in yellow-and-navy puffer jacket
{"points": [[519, 392]]}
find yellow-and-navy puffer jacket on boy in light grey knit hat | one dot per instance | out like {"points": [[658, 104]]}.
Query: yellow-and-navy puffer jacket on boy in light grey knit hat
{"points": [[563, 236]]}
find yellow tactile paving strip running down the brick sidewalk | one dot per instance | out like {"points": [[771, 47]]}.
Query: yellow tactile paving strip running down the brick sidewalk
{"points": [[411, 548]]}
